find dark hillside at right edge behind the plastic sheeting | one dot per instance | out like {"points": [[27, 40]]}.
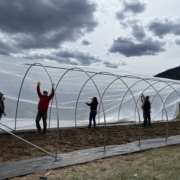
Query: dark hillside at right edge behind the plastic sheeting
{"points": [[173, 73]]}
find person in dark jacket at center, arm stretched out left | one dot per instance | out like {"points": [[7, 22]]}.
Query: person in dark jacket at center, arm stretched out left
{"points": [[93, 107]]}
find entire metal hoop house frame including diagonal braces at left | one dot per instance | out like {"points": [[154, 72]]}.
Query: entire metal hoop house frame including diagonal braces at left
{"points": [[168, 83]]}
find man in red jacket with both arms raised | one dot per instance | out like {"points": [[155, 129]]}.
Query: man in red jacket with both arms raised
{"points": [[43, 104]]}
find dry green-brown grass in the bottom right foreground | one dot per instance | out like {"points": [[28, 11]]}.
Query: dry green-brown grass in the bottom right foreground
{"points": [[156, 164]]}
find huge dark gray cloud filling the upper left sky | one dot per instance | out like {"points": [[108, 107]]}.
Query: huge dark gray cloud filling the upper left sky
{"points": [[46, 23]]}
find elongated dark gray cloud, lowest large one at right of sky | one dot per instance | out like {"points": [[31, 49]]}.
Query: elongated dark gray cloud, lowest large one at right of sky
{"points": [[128, 47]]}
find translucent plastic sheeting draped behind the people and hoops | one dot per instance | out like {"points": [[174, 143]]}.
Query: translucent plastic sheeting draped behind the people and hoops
{"points": [[118, 93]]}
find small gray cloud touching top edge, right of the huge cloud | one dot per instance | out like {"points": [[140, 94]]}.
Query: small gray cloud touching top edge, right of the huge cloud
{"points": [[134, 7]]}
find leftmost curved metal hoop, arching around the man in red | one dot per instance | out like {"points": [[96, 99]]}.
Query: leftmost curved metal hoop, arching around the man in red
{"points": [[55, 99]]}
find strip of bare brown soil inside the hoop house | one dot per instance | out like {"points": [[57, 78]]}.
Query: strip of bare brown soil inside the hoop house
{"points": [[13, 149]]}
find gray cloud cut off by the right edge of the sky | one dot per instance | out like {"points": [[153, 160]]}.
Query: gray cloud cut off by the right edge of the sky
{"points": [[163, 27]]}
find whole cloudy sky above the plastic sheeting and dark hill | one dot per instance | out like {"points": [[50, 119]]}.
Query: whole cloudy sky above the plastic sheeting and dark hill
{"points": [[140, 36]]}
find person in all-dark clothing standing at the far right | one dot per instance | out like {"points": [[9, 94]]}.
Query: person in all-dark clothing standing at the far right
{"points": [[147, 111]]}
